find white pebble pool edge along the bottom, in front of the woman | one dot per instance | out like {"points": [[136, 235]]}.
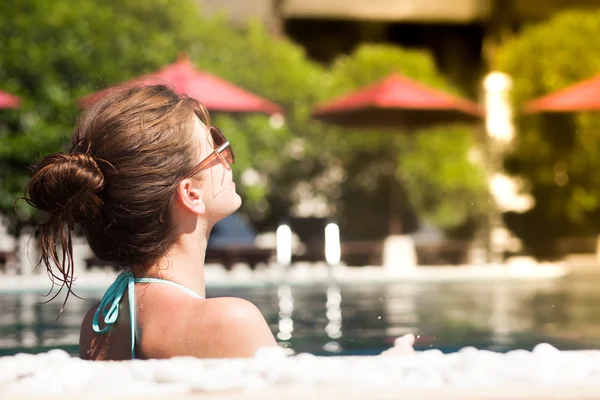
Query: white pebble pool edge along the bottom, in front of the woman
{"points": [[544, 373]]}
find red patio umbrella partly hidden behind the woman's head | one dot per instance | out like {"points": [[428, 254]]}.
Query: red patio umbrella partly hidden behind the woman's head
{"points": [[214, 93]]}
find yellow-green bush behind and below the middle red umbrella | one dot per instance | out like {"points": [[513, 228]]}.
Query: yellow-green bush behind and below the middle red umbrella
{"points": [[439, 181]]}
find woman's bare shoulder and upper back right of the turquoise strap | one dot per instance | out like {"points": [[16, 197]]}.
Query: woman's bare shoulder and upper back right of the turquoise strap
{"points": [[208, 328]]}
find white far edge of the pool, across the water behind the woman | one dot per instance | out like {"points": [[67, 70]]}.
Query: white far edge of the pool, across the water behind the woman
{"points": [[217, 277]]}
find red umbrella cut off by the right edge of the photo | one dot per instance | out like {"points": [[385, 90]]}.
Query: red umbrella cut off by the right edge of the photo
{"points": [[582, 96]]}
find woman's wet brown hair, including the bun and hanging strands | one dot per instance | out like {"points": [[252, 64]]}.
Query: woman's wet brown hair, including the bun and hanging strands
{"points": [[129, 151]]}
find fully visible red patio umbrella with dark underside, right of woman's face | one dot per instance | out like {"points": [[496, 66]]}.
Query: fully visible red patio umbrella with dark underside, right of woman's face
{"points": [[400, 103]]}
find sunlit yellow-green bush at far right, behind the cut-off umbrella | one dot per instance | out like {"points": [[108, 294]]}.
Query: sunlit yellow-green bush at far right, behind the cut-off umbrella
{"points": [[558, 155]]}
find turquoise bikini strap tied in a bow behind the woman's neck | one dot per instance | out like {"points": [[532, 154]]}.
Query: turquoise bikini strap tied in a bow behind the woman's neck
{"points": [[109, 305]]}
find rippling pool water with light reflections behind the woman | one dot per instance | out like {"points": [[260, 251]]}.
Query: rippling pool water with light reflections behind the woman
{"points": [[365, 319]]}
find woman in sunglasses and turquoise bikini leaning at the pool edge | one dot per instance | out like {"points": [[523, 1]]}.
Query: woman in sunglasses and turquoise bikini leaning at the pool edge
{"points": [[146, 179]]}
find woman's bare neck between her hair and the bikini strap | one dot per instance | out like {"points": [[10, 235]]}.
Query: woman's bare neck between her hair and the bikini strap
{"points": [[184, 262]]}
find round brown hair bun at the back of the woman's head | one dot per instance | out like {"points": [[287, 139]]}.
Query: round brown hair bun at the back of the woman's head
{"points": [[67, 184]]}
